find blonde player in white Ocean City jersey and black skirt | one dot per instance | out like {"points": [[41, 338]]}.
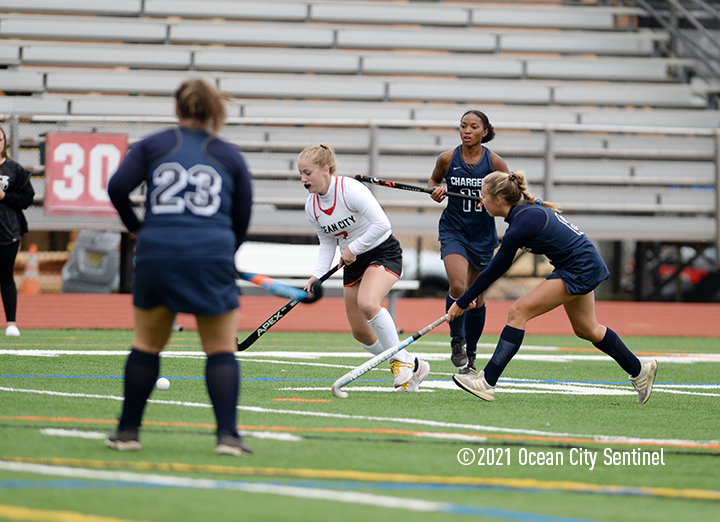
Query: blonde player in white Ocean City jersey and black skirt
{"points": [[345, 214]]}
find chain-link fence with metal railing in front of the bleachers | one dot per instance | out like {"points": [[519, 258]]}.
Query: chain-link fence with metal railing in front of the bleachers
{"points": [[614, 182]]}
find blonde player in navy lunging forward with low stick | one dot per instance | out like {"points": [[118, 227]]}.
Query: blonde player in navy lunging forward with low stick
{"points": [[537, 226]]}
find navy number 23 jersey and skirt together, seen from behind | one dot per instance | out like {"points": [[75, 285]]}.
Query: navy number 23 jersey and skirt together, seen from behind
{"points": [[197, 211]]}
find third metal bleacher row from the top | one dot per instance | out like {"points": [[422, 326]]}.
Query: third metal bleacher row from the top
{"points": [[339, 62]]}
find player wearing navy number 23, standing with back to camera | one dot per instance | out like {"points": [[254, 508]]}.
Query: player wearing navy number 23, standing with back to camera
{"points": [[197, 211]]}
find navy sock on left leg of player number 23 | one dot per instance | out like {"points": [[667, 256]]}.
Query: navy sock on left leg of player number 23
{"points": [[141, 373]]}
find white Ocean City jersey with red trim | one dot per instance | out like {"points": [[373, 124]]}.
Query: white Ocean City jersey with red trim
{"points": [[346, 216]]}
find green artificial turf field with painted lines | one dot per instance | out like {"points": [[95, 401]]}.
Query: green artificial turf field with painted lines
{"points": [[373, 456]]}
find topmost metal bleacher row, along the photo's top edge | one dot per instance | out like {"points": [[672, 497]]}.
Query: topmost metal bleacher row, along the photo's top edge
{"points": [[358, 12]]}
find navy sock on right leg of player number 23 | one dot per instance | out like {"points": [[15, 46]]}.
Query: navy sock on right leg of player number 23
{"points": [[222, 378]]}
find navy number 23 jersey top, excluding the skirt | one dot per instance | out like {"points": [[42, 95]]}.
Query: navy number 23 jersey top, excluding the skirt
{"points": [[198, 194]]}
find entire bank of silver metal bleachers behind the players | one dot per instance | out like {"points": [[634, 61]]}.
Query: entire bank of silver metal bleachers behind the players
{"points": [[585, 102]]}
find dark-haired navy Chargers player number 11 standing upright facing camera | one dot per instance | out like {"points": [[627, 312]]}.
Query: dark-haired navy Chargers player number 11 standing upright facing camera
{"points": [[467, 233]]}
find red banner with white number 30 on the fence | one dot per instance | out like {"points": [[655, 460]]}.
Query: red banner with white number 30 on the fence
{"points": [[77, 169]]}
